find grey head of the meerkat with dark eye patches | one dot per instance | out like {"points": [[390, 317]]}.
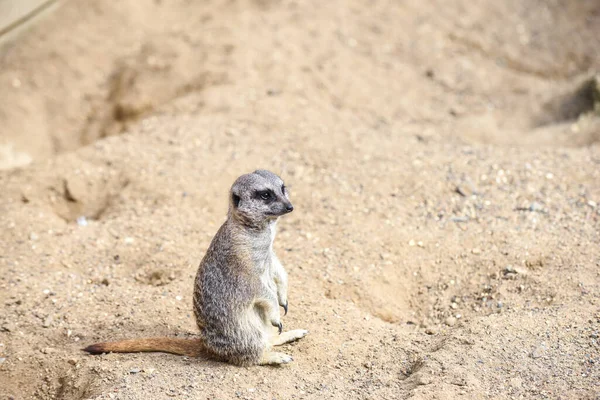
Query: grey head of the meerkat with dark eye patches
{"points": [[258, 198]]}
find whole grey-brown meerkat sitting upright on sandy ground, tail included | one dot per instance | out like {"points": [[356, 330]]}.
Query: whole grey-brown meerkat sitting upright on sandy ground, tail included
{"points": [[240, 284]]}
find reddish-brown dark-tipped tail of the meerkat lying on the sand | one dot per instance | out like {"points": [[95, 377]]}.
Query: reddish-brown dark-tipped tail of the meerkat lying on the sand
{"points": [[184, 347]]}
